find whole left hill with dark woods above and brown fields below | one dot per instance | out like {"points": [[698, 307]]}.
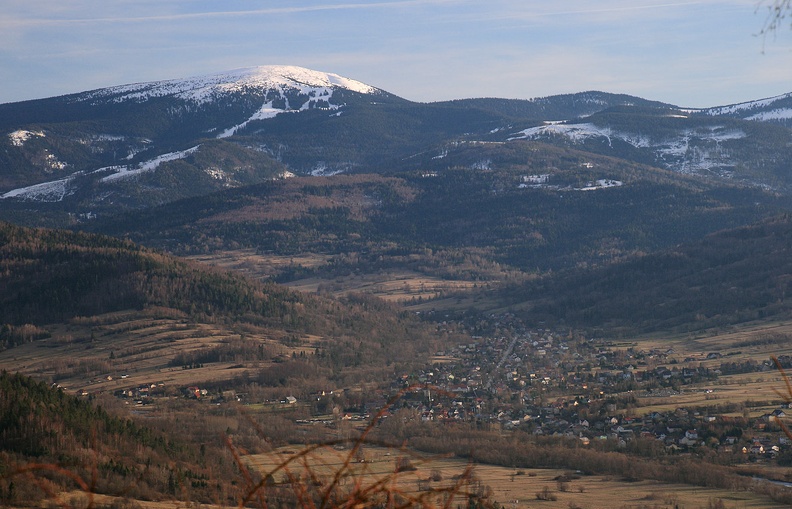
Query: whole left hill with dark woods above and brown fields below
{"points": [[99, 305]]}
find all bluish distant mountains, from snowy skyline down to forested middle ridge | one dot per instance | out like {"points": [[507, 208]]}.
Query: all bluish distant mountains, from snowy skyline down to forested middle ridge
{"points": [[475, 190]]}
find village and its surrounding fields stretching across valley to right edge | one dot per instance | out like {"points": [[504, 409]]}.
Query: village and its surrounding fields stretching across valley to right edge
{"points": [[555, 384]]}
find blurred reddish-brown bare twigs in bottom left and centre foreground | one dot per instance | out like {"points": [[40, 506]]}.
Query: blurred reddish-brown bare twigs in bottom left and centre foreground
{"points": [[302, 484]]}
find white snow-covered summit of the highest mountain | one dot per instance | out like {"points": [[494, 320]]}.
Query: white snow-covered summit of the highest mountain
{"points": [[200, 89]]}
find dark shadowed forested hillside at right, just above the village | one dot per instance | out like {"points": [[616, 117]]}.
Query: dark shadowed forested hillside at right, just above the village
{"points": [[728, 277]]}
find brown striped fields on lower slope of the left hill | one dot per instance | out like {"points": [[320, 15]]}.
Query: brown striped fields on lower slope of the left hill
{"points": [[78, 355]]}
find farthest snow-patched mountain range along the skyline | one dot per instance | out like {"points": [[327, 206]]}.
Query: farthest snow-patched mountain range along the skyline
{"points": [[69, 158]]}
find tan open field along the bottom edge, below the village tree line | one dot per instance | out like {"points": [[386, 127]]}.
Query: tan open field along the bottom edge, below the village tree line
{"points": [[510, 487]]}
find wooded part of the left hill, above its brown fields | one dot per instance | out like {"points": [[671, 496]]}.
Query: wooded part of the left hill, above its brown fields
{"points": [[55, 276]]}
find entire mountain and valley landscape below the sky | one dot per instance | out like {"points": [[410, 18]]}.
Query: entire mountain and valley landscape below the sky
{"points": [[574, 301]]}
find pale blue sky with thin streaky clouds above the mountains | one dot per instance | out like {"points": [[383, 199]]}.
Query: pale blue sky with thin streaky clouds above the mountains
{"points": [[688, 53]]}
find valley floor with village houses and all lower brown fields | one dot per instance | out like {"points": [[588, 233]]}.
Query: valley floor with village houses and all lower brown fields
{"points": [[629, 392]]}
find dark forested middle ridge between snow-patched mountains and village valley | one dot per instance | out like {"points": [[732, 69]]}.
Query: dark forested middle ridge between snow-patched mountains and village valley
{"points": [[475, 213]]}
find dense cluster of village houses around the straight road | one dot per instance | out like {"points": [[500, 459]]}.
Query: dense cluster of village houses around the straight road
{"points": [[532, 380]]}
